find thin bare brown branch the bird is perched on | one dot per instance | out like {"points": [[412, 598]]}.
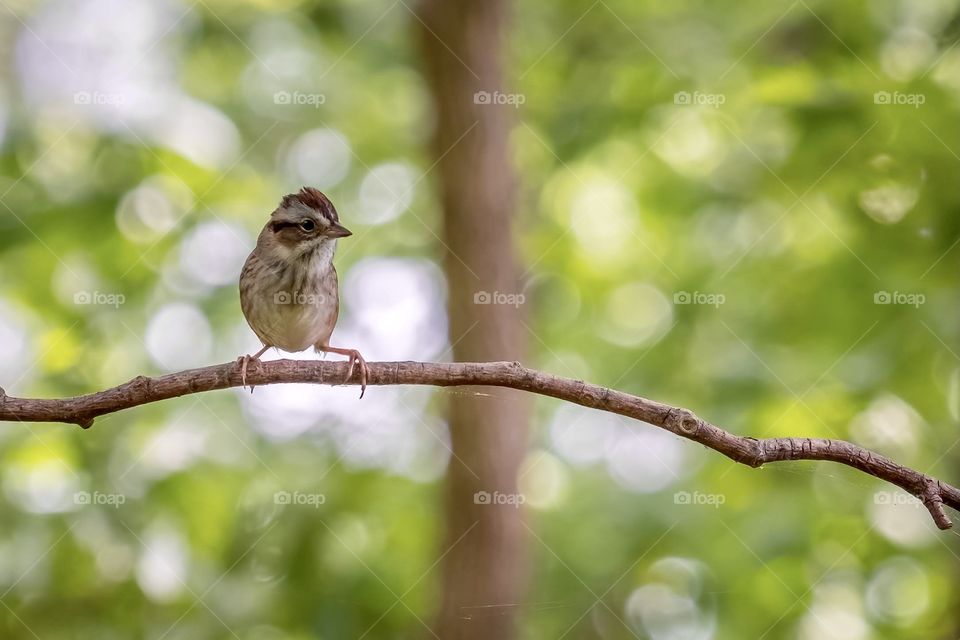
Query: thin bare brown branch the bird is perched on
{"points": [[83, 410]]}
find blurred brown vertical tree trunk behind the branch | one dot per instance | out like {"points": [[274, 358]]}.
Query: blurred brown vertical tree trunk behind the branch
{"points": [[485, 562]]}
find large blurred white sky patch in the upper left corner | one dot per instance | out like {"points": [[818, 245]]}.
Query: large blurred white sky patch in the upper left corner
{"points": [[112, 64]]}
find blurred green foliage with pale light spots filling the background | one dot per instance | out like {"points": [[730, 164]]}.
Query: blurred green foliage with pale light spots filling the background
{"points": [[746, 209]]}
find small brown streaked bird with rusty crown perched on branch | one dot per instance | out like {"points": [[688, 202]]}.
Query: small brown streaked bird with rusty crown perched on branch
{"points": [[288, 286]]}
